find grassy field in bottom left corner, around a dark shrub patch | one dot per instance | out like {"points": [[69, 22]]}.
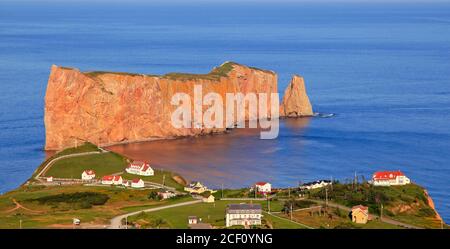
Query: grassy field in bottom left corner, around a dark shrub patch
{"points": [[37, 215]]}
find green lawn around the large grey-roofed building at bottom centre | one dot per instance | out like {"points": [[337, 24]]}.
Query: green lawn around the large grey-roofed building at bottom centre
{"points": [[213, 213]]}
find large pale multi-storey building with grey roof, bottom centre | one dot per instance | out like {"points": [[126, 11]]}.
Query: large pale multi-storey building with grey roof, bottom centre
{"points": [[243, 215]]}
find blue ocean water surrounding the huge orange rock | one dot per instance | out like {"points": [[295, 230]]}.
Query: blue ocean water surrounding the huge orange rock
{"points": [[383, 69]]}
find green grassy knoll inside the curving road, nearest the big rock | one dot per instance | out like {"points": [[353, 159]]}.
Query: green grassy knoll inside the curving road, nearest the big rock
{"points": [[102, 164]]}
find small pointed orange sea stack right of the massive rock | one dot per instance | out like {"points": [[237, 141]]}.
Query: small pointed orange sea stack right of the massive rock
{"points": [[295, 101]]}
